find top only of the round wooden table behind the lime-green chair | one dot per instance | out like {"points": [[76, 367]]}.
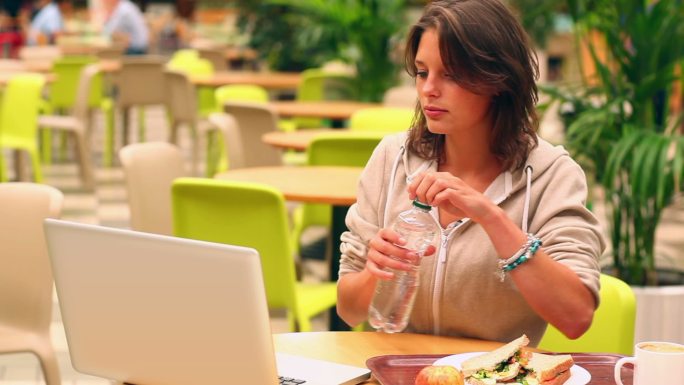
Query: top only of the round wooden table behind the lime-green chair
{"points": [[313, 184]]}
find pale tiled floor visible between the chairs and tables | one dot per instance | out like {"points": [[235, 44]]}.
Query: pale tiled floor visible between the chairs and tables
{"points": [[105, 206]]}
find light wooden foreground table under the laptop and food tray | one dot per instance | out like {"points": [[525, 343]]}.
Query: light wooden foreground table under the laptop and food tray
{"points": [[354, 348]]}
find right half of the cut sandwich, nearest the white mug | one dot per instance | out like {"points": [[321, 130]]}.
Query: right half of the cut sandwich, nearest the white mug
{"points": [[544, 369]]}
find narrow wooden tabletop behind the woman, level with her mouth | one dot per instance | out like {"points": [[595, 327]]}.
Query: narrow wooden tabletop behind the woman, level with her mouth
{"points": [[324, 109]]}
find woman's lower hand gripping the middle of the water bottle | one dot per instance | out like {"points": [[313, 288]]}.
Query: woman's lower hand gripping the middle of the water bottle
{"points": [[385, 251]]}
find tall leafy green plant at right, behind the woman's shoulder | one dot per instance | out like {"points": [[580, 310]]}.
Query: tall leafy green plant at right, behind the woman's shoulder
{"points": [[621, 122]]}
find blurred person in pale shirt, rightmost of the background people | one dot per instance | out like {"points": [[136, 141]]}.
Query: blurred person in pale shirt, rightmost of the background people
{"points": [[126, 25]]}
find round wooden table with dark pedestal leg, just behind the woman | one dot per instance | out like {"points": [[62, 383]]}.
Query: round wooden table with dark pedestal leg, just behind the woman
{"points": [[334, 185]]}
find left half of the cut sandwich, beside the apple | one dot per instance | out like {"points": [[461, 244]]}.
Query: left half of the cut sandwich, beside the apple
{"points": [[499, 366]]}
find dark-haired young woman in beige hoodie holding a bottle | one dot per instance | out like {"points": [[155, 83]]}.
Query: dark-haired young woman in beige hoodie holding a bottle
{"points": [[497, 191]]}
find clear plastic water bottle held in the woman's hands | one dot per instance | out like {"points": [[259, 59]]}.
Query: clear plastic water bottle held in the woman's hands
{"points": [[393, 300]]}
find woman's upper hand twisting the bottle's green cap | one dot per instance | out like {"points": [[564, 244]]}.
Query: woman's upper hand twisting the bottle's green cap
{"points": [[450, 193]]}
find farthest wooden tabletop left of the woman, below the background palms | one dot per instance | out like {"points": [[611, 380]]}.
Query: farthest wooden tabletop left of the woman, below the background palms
{"points": [[268, 80]]}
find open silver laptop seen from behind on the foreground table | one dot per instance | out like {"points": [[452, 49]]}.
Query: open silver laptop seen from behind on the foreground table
{"points": [[149, 309]]}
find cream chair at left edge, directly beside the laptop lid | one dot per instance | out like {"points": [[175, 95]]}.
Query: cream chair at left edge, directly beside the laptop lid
{"points": [[25, 277]]}
